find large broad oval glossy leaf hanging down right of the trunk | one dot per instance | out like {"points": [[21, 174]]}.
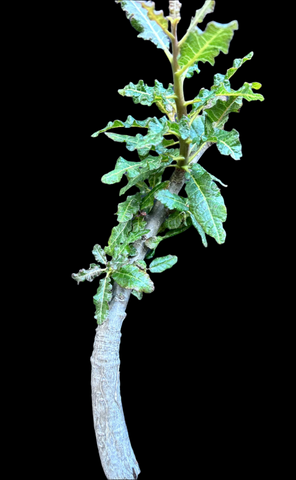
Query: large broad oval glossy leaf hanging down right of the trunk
{"points": [[206, 202]]}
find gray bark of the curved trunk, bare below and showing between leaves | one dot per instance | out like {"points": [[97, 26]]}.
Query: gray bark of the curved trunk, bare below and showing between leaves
{"points": [[116, 453]]}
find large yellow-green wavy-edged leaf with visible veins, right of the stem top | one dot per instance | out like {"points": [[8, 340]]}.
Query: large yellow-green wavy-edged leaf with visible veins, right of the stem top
{"points": [[205, 46]]}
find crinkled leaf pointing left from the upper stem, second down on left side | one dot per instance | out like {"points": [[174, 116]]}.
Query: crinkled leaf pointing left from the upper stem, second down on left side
{"points": [[145, 95]]}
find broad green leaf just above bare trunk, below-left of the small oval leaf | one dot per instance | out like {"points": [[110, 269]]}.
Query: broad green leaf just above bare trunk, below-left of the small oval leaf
{"points": [[132, 277]]}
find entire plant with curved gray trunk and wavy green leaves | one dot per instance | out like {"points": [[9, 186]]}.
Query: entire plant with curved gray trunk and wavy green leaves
{"points": [[157, 211]]}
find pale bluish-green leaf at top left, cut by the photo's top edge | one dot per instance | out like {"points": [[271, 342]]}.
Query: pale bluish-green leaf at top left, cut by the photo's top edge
{"points": [[149, 30]]}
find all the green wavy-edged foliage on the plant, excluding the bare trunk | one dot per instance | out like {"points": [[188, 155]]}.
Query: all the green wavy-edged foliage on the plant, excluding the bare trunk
{"points": [[202, 205]]}
